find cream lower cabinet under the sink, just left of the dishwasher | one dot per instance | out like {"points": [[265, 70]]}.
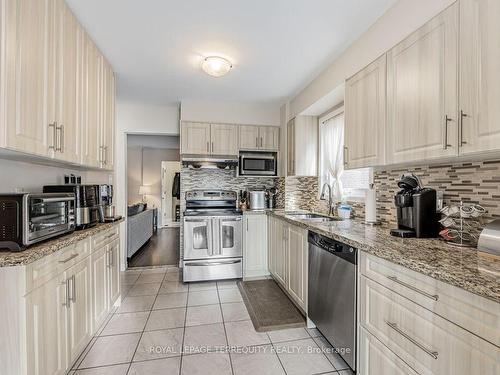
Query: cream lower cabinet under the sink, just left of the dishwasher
{"points": [[288, 257]]}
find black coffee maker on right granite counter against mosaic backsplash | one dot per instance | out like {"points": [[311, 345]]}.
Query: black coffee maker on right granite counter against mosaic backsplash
{"points": [[416, 209]]}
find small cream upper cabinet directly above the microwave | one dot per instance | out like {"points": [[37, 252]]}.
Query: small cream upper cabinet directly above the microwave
{"points": [[261, 138]]}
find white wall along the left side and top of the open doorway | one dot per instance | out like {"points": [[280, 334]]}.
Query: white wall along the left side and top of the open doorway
{"points": [[137, 118]]}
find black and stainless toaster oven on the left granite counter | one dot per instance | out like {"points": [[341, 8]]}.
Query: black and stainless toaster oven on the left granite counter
{"points": [[26, 219]]}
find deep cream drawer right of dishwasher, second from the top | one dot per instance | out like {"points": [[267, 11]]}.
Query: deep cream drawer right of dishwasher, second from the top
{"points": [[425, 341]]}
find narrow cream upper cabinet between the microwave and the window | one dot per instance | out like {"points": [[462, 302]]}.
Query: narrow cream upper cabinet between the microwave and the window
{"points": [[302, 146]]}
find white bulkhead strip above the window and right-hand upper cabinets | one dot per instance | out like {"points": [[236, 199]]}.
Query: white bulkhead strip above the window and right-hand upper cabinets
{"points": [[398, 22]]}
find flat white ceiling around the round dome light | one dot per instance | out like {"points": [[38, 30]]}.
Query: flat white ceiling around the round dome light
{"points": [[277, 46]]}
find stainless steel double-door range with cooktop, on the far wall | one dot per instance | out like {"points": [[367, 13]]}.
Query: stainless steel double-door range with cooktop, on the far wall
{"points": [[212, 236]]}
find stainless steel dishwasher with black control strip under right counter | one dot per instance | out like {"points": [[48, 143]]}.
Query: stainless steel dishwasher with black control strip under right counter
{"points": [[332, 293]]}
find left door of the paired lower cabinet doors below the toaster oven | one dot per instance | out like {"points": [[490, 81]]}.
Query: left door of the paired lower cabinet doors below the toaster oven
{"points": [[46, 329]]}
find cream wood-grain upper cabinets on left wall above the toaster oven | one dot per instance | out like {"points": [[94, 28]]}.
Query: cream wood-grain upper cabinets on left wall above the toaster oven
{"points": [[57, 91]]}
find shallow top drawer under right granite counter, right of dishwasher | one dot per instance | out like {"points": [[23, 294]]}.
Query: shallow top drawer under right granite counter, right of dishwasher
{"points": [[474, 313]]}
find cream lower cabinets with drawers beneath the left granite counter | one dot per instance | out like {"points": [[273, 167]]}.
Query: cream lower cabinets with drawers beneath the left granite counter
{"points": [[62, 299]]}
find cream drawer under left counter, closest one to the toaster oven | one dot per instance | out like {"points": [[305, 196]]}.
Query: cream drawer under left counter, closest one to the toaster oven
{"points": [[48, 267]]}
